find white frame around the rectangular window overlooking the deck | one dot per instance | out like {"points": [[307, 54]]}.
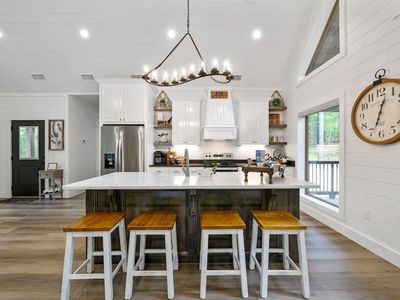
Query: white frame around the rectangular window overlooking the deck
{"points": [[333, 100]]}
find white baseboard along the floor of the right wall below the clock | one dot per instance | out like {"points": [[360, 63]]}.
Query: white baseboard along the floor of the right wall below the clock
{"points": [[384, 251]]}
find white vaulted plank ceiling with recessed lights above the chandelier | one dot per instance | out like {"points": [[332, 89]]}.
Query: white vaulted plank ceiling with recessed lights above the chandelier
{"points": [[42, 36]]}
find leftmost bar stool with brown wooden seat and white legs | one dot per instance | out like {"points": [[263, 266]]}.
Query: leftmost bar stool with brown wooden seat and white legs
{"points": [[91, 226]]}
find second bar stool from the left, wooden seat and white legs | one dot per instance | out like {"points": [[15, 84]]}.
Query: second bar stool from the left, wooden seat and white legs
{"points": [[152, 223]]}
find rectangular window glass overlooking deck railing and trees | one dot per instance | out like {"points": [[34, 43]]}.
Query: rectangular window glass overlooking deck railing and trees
{"points": [[322, 154]]}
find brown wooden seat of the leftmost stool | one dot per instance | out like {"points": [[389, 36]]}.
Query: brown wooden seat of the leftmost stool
{"points": [[95, 222]]}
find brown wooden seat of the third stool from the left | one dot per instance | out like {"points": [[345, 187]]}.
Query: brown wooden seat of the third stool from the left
{"points": [[221, 219]]}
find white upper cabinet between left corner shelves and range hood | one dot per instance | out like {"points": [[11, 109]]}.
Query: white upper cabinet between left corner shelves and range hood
{"points": [[186, 122]]}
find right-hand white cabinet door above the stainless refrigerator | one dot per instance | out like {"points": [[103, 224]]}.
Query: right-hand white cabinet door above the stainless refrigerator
{"points": [[133, 104]]}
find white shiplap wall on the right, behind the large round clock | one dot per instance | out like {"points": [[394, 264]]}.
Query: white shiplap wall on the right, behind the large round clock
{"points": [[372, 173]]}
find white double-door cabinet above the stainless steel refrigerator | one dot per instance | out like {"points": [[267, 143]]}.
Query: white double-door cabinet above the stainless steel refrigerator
{"points": [[122, 103]]}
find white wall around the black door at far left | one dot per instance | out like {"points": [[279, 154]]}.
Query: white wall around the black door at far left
{"points": [[29, 107]]}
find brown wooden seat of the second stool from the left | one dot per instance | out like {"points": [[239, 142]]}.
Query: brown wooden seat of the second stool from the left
{"points": [[153, 220]]}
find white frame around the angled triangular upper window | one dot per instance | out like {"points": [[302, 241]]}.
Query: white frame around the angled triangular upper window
{"points": [[315, 39]]}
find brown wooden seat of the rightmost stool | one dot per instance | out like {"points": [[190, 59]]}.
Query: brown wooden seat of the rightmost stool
{"points": [[277, 220]]}
